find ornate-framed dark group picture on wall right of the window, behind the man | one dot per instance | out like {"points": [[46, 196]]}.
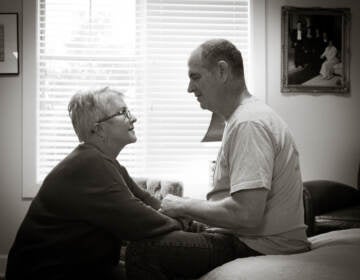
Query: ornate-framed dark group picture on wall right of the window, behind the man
{"points": [[315, 50]]}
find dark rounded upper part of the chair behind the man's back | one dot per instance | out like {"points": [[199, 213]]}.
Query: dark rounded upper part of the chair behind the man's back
{"points": [[328, 196]]}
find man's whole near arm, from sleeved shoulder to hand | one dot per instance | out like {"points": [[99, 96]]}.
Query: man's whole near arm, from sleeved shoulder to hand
{"points": [[250, 168]]}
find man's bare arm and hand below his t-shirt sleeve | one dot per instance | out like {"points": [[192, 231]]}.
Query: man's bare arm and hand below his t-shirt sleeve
{"points": [[244, 209]]}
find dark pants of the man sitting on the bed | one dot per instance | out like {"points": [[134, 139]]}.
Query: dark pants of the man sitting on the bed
{"points": [[181, 254]]}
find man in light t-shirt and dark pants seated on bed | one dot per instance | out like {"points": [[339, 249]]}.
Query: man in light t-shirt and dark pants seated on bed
{"points": [[256, 204]]}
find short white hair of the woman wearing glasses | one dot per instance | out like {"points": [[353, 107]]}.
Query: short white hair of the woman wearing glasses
{"points": [[88, 107]]}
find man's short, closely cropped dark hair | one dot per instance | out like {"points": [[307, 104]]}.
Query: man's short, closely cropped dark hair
{"points": [[215, 50]]}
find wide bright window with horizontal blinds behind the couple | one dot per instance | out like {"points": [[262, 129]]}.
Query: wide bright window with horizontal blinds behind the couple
{"points": [[139, 47]]}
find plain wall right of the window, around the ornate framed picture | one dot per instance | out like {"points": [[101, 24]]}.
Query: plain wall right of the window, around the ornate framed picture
{"points": [[326, 127]]}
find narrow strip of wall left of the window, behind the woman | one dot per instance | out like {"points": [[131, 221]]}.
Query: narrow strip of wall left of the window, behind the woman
{"points": [[12, 208]]}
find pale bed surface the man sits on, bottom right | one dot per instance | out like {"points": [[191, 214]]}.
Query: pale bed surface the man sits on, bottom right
{"points": [[334, 255]]}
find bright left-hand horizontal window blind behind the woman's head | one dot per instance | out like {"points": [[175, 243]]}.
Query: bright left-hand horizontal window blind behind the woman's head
{"points": [[82, 44]]}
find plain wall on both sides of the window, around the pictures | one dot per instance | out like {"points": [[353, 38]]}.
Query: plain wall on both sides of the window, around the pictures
{"points": [[326, 127]]}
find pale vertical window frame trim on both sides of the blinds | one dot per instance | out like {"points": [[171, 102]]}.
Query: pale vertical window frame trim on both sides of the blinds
{"points": [[257, 64]]}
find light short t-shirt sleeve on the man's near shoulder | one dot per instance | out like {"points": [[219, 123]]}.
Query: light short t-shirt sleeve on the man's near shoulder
{"points": [[251, 156]]}
